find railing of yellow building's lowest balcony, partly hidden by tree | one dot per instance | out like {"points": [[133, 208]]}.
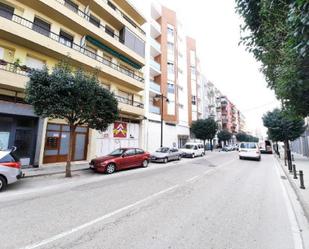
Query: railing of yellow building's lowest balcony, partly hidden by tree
{"points": [[24, 70]]}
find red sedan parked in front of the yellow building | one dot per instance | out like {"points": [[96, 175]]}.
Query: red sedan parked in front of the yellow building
{"points": [[122, 158]]}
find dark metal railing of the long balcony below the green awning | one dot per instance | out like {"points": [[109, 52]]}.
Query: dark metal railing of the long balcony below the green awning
{"points": [[55, 37]]}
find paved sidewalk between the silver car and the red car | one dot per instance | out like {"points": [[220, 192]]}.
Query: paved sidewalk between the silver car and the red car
{"points": [[51, 169]]}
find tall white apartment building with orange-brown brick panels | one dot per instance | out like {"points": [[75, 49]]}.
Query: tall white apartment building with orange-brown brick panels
{"points": [[166, 80]]}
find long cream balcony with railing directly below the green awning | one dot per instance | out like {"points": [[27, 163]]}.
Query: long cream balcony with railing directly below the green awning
{"points": [[77, 52]]}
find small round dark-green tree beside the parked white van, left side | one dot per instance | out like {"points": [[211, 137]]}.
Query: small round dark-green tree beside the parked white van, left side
{"points": [[204, 129]]}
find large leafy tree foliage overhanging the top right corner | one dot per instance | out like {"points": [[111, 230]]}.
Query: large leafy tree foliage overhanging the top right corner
{"points": [[277, 33]]}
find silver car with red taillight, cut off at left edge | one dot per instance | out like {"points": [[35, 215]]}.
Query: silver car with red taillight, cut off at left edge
{"points": [[10, 168]]}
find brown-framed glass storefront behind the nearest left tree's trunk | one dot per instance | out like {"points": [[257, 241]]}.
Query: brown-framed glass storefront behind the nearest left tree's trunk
{"points": [[57, 143]]}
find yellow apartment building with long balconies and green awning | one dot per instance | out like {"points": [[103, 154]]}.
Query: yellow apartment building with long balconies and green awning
{"points": [[103, 35]]}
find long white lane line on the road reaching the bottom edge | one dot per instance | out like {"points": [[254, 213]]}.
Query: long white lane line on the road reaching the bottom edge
{"points": [[97, 220]]}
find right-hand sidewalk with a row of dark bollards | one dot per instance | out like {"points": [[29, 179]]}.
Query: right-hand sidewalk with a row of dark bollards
{"points": [[302, 163]]}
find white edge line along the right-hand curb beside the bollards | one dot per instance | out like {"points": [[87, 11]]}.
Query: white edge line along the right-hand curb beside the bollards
{"points": [[297, 238]]}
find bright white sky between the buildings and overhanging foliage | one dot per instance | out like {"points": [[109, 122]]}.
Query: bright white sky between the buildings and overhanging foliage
{"points": [[216, 28]]}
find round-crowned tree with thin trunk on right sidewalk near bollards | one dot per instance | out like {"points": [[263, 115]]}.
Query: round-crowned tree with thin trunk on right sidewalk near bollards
{"points": [[284, 127]]}
